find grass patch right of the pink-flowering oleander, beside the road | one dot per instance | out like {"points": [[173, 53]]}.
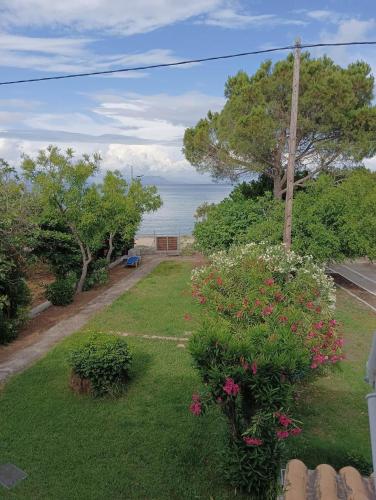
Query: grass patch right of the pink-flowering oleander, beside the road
{"points": [[334, 410]]}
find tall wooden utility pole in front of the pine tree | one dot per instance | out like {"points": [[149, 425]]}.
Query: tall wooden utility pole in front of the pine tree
{"points": [[292, 148]]}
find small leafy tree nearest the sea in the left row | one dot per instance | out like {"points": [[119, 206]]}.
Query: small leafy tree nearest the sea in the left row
{"points": [[122, 206]]}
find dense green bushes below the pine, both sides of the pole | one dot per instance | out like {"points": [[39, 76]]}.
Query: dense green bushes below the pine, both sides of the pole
{"points": [[333, 219]]}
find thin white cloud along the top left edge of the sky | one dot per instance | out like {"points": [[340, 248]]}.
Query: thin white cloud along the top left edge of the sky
{"points": [[118, 16]]}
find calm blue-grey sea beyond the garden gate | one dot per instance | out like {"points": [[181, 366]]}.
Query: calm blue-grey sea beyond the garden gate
{"points": [[179, 205]]}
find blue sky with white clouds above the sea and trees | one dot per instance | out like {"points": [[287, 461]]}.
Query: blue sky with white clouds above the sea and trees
{"points": [[139, 118]]}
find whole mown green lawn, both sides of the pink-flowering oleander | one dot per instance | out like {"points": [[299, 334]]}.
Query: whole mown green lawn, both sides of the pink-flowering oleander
{"points": [[146, 445]]}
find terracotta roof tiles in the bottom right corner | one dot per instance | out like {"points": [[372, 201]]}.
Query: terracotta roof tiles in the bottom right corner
{"points": [[325, 483]]}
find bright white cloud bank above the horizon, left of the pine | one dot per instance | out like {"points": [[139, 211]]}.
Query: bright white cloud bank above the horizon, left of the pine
{"points": [[143, 130]]}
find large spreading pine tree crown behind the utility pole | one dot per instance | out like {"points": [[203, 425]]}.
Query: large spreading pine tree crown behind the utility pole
{"points": [[336, 122]]}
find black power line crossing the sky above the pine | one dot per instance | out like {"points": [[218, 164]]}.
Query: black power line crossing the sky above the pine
{"points": [[181, 63]]}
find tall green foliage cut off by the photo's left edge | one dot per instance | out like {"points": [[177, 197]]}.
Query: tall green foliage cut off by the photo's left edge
{"points": [[17, 233]]}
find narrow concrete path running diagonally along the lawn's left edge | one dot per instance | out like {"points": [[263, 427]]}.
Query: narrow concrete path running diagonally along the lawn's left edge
{"points": [[28, 355]]}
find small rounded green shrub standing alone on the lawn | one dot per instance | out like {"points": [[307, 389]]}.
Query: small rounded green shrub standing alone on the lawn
{"points": [[104, 360]]}
